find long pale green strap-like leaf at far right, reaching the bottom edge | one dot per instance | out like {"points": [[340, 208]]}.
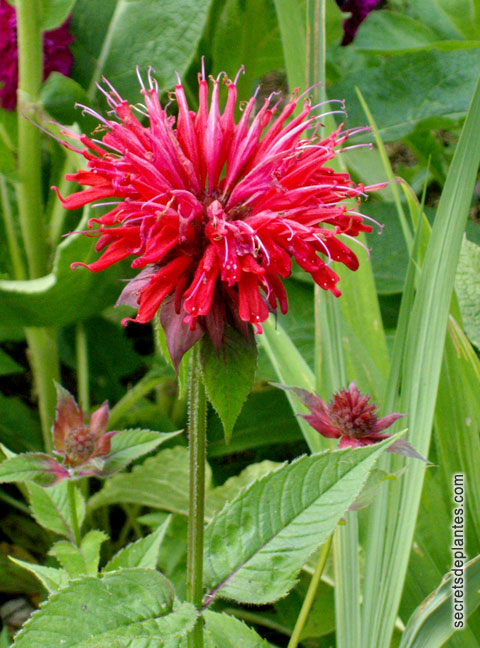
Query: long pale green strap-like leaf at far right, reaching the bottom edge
{"points": [[388, 554]]}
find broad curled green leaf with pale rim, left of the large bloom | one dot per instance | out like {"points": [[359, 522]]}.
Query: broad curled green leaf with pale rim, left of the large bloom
{"points": [[65, 294]]}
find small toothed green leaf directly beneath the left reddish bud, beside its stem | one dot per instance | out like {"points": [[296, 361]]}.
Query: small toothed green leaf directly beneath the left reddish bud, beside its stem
{"points": [[51, 507]]}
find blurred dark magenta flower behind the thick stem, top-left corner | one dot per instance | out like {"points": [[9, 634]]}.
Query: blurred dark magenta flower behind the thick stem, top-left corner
{"points": [[56, 55]]}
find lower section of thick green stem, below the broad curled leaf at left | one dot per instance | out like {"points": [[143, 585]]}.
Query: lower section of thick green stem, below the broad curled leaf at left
{"points": [[43, 356]]}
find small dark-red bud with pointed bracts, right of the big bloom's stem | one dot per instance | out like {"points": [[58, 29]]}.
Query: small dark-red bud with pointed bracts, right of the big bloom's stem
{"points": [[352, 418]]}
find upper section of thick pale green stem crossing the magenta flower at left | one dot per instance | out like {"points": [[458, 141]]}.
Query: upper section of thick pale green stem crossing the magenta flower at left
{"points": [[29, 188]]}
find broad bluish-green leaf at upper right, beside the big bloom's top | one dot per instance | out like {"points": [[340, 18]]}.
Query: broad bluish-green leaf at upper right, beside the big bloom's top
{"points": [[406, 90]]}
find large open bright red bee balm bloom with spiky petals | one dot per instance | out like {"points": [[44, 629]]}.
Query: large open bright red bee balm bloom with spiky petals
{"points": [[213, 211]]}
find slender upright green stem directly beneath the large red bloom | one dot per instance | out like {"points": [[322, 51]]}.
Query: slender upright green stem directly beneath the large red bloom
{"points": [[197, 444]]}
